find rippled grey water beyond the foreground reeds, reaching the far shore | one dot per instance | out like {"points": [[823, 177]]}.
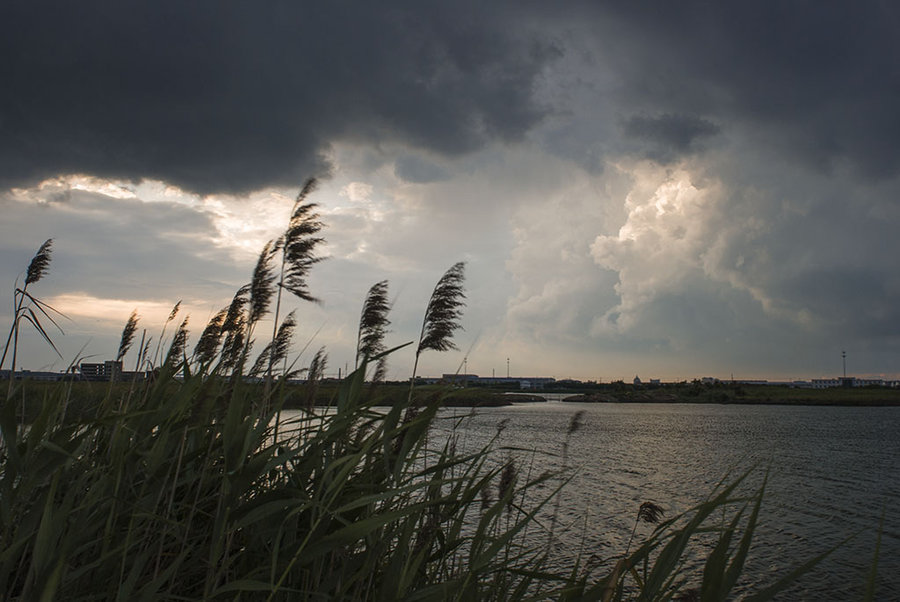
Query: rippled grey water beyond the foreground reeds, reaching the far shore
{"points": [[832, 472]]}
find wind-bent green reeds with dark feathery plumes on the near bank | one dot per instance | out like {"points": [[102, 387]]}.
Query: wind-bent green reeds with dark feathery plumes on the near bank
{"points": [[187, 485]]}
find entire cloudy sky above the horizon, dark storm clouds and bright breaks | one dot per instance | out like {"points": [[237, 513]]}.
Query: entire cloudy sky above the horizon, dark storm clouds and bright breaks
{"points": [[669, 190]]}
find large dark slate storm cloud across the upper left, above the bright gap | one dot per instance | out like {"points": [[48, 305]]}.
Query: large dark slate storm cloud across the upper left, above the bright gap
{"points": [[232, 96]]}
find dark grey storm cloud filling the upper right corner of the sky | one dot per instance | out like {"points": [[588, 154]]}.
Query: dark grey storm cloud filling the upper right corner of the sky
{"points": [[818, 80]]}
